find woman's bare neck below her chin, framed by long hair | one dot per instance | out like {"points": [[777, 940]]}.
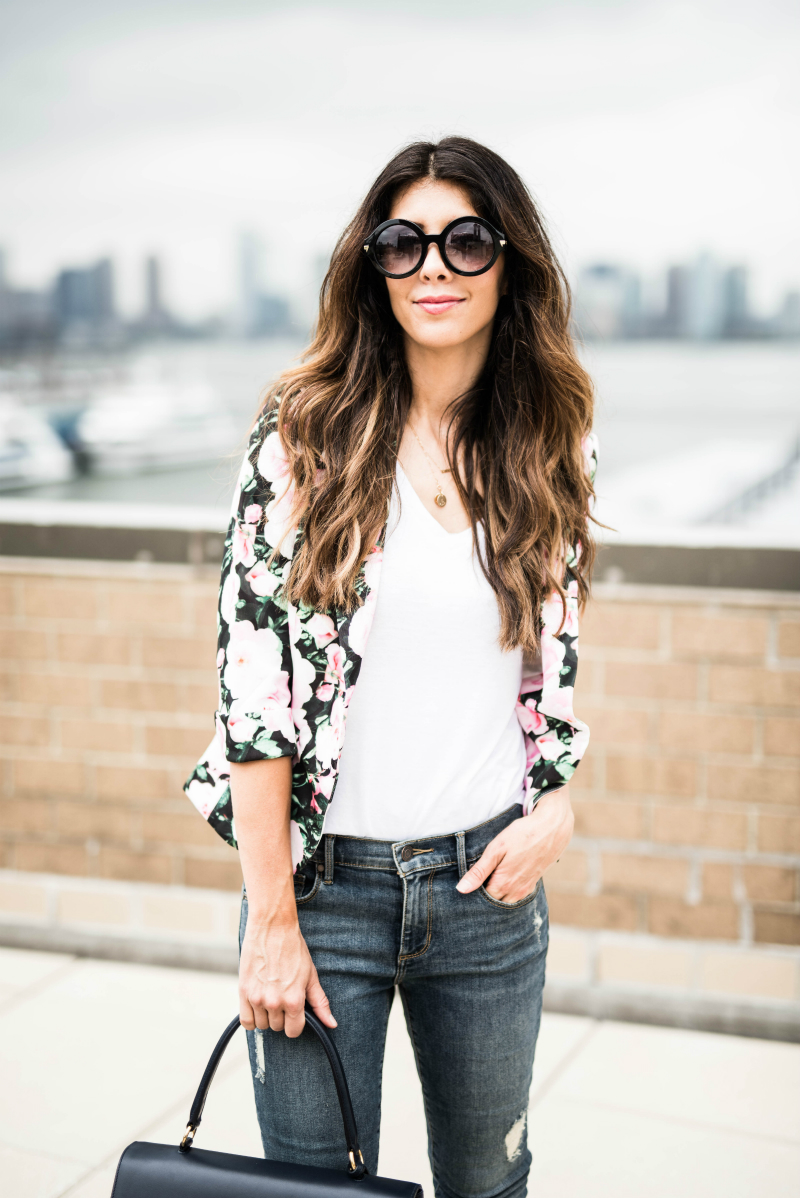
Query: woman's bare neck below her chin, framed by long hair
{"points": [[441, 376]]}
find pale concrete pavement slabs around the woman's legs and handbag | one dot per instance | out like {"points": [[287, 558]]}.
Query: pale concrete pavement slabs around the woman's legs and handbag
{"points": [[98, 1054]]}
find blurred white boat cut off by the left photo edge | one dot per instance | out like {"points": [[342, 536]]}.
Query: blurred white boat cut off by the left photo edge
{"points": [[32, 453]]}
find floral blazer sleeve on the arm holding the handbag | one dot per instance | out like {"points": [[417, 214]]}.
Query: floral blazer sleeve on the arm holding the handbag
{"points": [[254, 658]]}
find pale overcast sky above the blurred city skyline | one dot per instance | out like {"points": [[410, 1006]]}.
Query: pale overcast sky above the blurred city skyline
{"points": [[647, 131]]}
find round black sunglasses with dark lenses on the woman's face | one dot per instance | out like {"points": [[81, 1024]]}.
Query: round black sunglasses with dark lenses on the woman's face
{"points": [[469, 246]]}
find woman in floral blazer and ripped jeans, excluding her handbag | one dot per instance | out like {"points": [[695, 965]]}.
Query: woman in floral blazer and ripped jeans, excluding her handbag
{"points": [[408, 553]]}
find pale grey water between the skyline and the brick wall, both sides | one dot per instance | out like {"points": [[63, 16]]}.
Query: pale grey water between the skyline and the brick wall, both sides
{"points": [[669, 415]]}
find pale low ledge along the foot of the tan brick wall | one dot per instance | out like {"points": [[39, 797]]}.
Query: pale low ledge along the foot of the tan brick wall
{"points": [[708, 987]]}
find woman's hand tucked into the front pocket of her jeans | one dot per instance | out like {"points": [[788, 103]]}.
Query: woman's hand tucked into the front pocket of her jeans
{"points": [[513, 863]]}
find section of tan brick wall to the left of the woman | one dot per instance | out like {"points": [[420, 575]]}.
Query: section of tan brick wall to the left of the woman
{"points": [[108, 698]]}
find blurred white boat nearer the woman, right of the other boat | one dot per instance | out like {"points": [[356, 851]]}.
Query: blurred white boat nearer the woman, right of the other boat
{"points": [[149, 427]]}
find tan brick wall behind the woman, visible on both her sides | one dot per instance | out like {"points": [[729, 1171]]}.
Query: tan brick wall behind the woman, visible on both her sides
{"points": [[688, 804]]}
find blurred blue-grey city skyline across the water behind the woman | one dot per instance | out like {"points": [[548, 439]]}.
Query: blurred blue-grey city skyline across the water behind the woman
{"points": [[704, 299]]}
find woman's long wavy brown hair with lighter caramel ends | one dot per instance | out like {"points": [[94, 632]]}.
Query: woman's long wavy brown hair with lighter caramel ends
{"points": [[517, 435]]}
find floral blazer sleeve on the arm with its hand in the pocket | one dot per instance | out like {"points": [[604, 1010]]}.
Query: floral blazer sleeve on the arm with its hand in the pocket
{"points": [[556, 739]]}
